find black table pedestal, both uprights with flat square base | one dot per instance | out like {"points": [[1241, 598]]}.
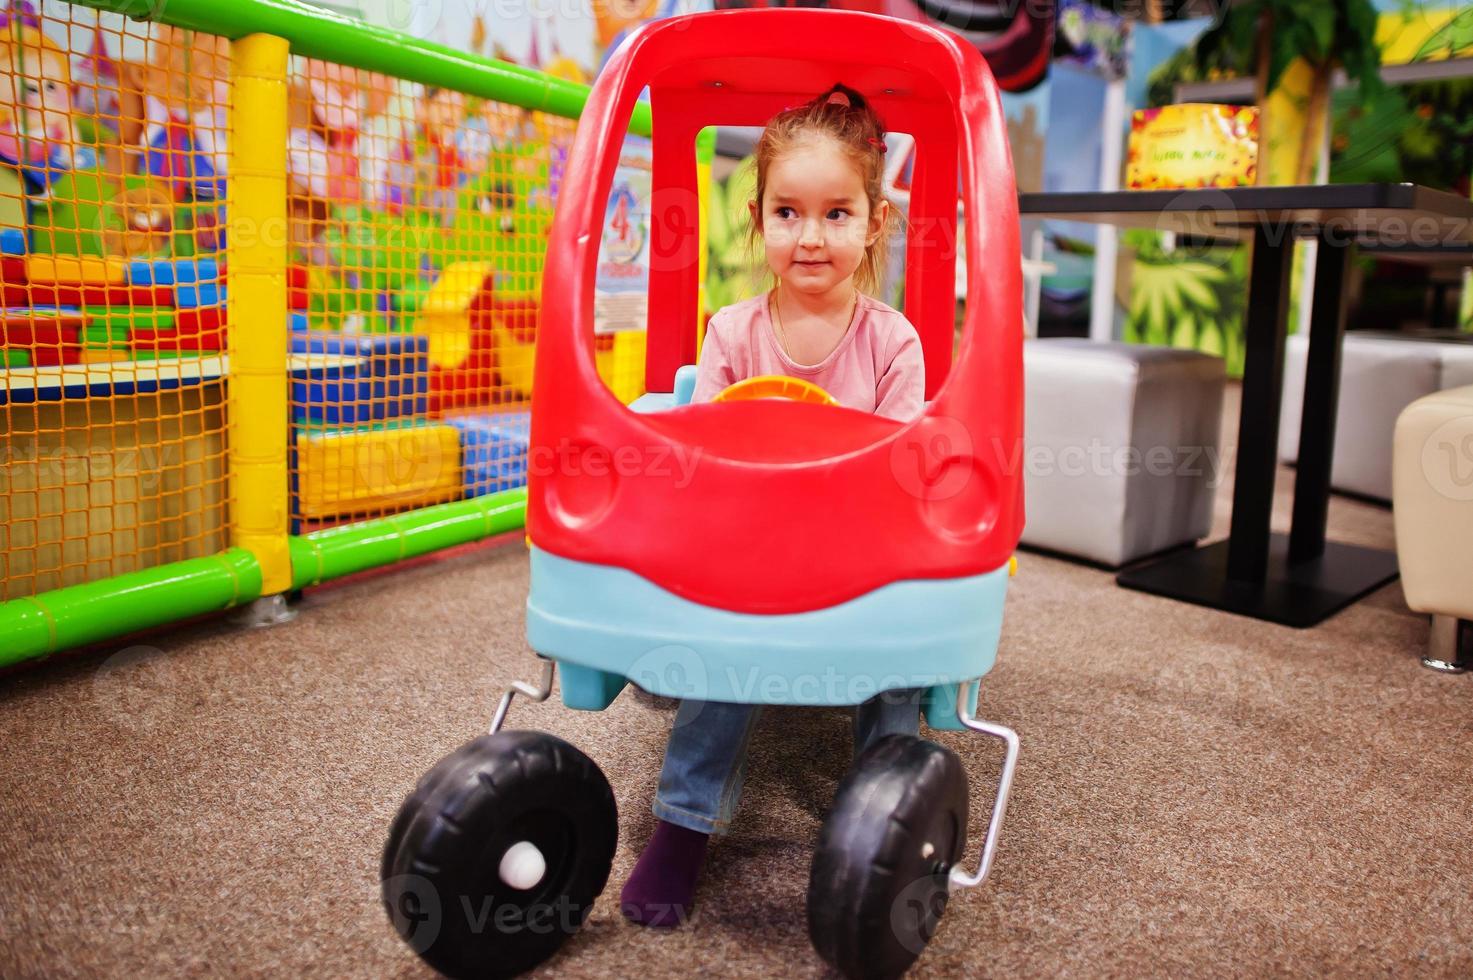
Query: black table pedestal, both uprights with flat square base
{"points": [[1254, 573]]}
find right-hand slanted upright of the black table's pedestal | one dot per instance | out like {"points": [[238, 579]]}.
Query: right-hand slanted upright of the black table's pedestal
{"points": [[1322, 396]]}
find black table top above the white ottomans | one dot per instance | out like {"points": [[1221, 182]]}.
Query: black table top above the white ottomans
{"points": [[1390, 216]]}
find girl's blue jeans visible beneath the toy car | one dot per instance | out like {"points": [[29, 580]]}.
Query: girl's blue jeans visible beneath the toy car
{"points": [[706, 758]]}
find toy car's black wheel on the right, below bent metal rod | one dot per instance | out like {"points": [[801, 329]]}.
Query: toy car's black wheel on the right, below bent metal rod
{"points": [[879, 885]]}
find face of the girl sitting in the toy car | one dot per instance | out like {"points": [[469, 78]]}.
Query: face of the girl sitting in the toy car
{"points": [[815, 219]]}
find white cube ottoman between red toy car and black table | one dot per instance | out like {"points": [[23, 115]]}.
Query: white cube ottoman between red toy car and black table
{"points": [[1122, 447]]}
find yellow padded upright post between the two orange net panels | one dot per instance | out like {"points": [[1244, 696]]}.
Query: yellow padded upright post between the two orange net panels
{"points": [[257, 242]]}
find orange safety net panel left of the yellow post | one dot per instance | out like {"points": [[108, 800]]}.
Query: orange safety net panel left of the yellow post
{"points": [[113, 421]]}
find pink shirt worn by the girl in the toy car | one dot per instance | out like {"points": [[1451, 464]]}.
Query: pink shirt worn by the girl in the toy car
{"points": [[877, 368]]}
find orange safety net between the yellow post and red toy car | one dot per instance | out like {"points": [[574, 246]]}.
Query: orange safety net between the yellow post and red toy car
{"points": [[421, 222]]}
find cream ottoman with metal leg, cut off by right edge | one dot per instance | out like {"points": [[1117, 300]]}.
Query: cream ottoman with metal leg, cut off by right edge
{"points": [[1432, 486]]}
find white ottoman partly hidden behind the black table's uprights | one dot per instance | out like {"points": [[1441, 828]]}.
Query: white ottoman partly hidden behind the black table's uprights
{"points": [[1379, 377]]}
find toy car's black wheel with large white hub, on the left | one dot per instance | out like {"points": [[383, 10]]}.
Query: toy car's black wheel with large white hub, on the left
{"points": [[441, 875]]}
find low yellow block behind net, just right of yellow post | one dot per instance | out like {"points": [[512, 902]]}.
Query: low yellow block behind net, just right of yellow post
{"points": [[347, 472]]}
